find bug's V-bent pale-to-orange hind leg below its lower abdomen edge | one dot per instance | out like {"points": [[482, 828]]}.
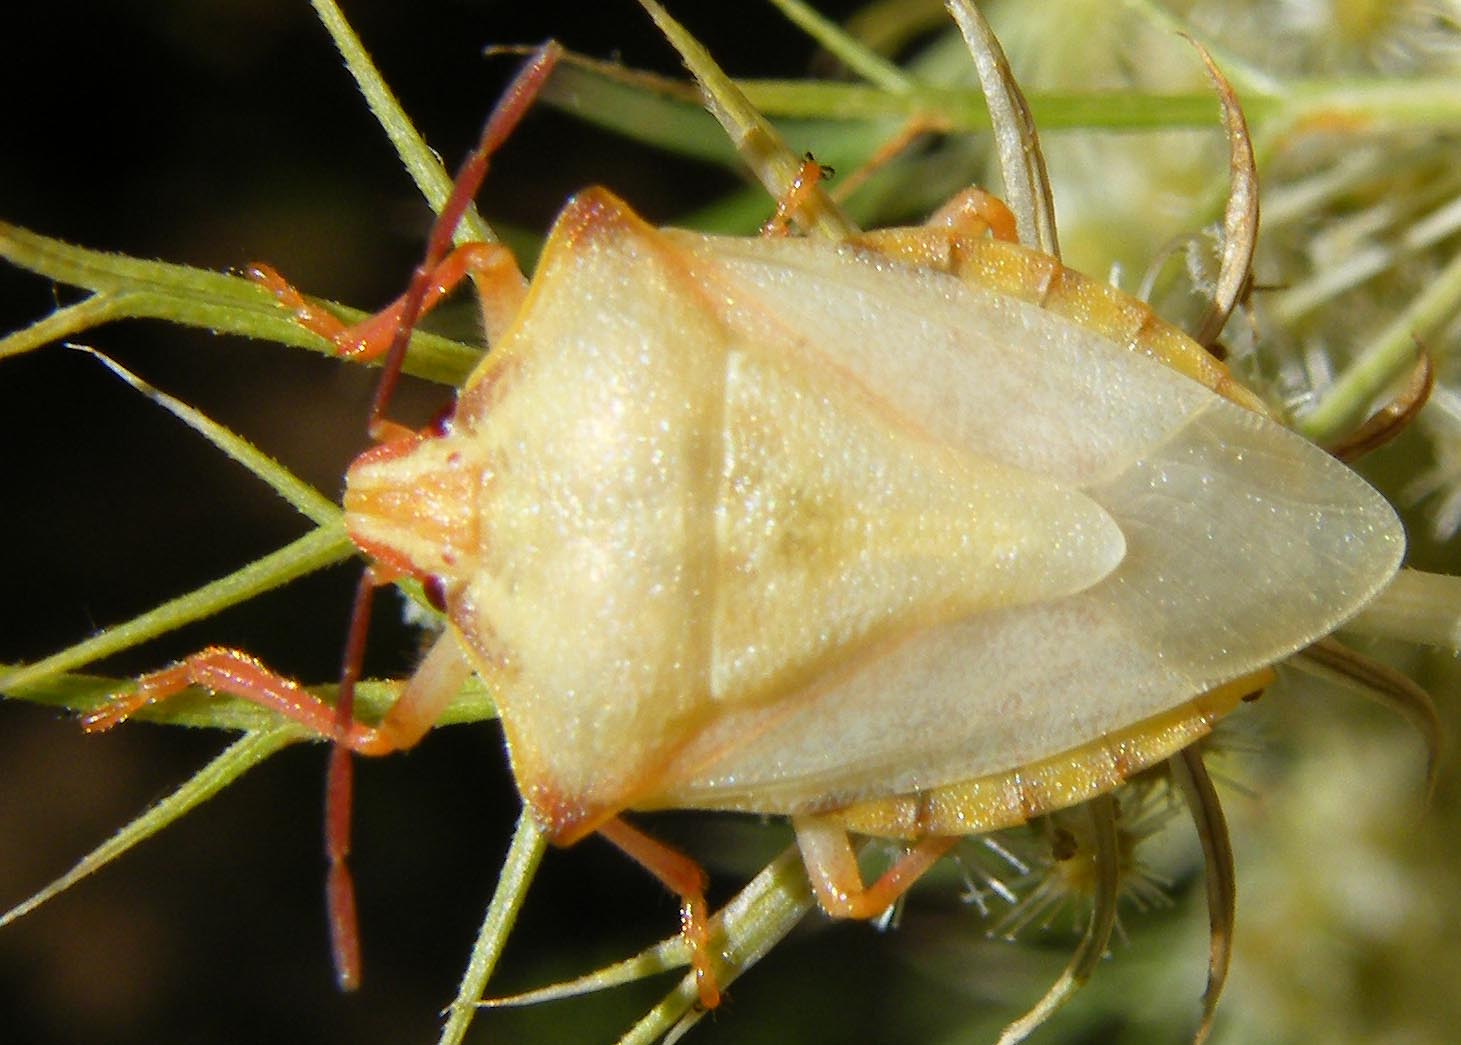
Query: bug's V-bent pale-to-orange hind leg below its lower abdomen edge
{"points": [[834, 869]]}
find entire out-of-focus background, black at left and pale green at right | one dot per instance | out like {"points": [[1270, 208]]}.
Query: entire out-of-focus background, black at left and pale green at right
{"points": [[227, 132]]}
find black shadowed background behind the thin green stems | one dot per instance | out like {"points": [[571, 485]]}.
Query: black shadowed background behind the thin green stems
{"points": [[215, 135]]}
